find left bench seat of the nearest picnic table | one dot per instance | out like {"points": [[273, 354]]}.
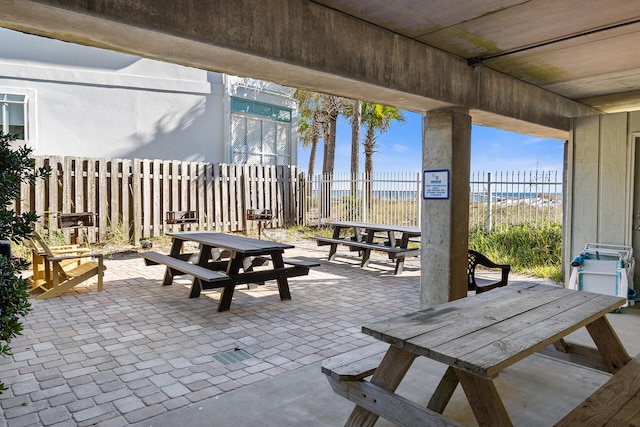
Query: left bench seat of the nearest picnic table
{"points": [[347, 375]]}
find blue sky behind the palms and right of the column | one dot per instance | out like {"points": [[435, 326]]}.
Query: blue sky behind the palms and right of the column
{"points": [[400, 149]]}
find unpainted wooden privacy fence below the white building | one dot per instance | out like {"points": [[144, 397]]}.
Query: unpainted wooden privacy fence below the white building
{"points": [[132, 197]]}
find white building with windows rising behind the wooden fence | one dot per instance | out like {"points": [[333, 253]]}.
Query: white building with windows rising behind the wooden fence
{"points": [[72, 100]]}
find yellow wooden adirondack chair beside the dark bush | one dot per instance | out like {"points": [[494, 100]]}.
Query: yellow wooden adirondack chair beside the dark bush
{"points": [[63, 268]]}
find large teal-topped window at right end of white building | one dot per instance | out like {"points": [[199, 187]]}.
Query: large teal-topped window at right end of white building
{"points": [[260, 133]]}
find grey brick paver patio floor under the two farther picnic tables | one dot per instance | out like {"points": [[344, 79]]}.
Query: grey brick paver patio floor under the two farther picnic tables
{"points": [[138, 349]]}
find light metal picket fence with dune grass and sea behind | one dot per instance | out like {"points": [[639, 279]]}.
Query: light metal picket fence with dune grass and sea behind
{"points": [[395, 198]]}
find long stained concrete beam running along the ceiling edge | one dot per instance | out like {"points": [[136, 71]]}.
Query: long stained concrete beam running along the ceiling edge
{"points": [[299, 44]]}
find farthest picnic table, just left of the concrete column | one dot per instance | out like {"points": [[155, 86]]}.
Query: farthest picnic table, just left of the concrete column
{"points": [[363, 237]]}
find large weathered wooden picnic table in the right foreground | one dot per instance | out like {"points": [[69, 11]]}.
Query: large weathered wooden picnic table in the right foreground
{"points": [[478, 337]]}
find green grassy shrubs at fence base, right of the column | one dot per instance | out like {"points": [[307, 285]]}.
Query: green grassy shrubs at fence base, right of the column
{"points": [[529, 248]]}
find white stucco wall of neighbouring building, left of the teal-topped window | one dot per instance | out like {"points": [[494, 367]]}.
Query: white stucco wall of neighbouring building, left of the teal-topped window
{"points": [[96, 103]]}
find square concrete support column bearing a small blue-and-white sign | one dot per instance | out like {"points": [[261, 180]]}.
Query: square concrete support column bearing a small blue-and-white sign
{"points": [[446, 145]]}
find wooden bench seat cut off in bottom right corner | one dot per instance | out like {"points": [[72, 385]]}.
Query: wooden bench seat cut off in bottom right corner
{"points": [[616, 403]]}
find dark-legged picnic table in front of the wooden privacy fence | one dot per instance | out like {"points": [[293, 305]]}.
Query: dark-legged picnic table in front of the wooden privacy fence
{"points": [[212, 269]]}
